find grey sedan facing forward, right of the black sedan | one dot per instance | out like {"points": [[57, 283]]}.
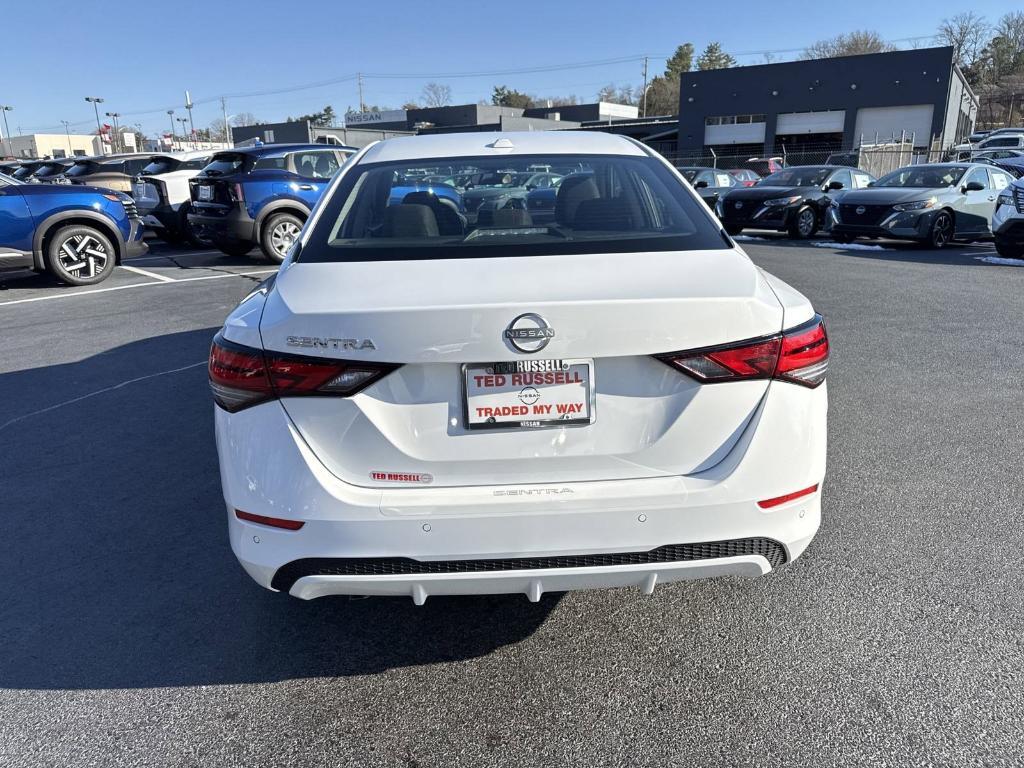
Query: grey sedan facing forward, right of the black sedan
{"points": [[934, 204]]}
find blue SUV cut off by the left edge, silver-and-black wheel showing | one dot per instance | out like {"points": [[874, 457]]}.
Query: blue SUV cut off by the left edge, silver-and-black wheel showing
{"points": [[77, 234]]}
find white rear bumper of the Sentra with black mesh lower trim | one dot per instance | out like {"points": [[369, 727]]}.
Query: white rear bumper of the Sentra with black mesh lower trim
{"points": [[551, 538]]}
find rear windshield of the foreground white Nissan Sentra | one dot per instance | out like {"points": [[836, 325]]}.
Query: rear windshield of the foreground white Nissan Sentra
{"points": [[605, 204]]}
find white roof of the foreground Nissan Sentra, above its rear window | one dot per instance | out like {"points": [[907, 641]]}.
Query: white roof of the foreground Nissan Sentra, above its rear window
{"points": [[509, 144]]}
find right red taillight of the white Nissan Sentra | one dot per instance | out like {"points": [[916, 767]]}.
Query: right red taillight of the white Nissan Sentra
{"points": [[799, 356]]}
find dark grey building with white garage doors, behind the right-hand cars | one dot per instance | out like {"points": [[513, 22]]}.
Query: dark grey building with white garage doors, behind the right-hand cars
{"points": [[920, 97]]}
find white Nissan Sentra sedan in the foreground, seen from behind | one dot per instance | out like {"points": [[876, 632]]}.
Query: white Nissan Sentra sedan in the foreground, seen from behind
{"points": [[430, 400]]}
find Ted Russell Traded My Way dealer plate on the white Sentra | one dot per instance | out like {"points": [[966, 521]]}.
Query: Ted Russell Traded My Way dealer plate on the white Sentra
{"points": [[529, 395]]}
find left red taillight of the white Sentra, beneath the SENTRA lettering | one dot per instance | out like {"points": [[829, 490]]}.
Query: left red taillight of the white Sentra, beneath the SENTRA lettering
{"points": [[243, 376]]}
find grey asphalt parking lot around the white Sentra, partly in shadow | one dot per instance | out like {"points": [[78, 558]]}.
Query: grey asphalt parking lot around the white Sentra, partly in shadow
{"points": [[132, 636]]}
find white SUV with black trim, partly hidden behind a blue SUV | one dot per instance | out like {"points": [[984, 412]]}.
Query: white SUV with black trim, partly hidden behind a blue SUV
{"points": [[163, 196]]}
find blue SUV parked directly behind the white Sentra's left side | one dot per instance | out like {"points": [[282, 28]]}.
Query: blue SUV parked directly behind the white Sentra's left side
{"points": [[262, 196]]}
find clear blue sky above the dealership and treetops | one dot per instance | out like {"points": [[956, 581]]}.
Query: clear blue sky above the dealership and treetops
{"points": [[142, 57]]}
